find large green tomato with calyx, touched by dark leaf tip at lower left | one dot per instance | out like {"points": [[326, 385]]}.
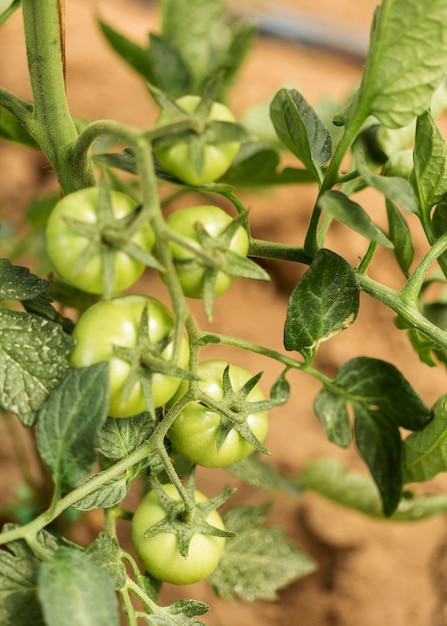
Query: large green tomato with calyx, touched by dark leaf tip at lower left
{"points": [[112, 331]]}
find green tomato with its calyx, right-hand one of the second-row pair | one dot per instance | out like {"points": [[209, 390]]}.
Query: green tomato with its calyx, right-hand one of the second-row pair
{"points": [[201, 227]]}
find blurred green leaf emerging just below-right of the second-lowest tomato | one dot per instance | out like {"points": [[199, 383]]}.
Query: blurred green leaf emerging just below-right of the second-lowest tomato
{"points": [[262, 476]]}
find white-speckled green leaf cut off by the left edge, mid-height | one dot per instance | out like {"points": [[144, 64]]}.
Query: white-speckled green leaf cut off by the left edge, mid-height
{"points": [[32, 362]]}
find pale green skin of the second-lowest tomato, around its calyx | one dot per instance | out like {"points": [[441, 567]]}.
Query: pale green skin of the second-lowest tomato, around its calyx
{"points": [[194, 431]]}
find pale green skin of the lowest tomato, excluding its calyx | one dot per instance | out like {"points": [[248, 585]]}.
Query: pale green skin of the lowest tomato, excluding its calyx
{"points": [[160, 554]]}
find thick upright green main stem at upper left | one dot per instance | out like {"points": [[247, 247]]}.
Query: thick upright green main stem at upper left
{"points": [[53, 126]]}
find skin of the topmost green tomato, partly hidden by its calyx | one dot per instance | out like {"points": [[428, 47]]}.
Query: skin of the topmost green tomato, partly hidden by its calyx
{"points": [[217, 158]]}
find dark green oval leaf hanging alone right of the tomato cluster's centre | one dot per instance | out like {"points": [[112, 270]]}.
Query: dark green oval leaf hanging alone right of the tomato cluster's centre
{"points": [[324, 302]]}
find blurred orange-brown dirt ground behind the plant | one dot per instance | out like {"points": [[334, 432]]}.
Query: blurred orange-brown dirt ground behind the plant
{"points": [[370, 572]]}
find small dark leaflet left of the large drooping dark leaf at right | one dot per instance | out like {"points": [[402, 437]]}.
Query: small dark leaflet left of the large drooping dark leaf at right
{"points": [[332, 412]]}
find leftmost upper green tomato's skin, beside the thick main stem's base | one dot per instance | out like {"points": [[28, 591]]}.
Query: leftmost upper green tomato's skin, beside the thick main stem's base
{"points": [[66, 247]]}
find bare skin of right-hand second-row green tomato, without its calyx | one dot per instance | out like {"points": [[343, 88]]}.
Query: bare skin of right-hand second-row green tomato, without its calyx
{"points": [[191, 268]]}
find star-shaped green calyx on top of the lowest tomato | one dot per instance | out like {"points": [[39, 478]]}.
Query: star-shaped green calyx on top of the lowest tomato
{"points": [[185, 524]]}
